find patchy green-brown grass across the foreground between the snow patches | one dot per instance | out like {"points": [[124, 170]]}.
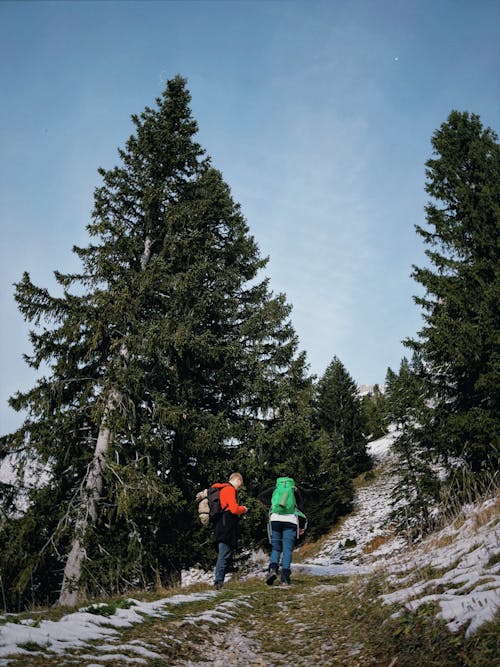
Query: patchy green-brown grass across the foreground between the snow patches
{"points": [[334, 621]]}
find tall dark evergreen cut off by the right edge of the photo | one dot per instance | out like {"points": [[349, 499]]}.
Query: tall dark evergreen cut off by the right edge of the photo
{"points": [[459, 343]]}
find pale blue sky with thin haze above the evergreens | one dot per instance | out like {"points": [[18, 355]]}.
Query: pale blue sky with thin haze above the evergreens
{"points": [[318, 114]]}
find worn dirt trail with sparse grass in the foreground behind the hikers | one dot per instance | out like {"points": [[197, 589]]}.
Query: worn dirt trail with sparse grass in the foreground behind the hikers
{"points": [[302, 625]]}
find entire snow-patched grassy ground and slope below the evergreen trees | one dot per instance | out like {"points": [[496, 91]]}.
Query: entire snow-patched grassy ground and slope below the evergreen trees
{"points": [[360, 597]]}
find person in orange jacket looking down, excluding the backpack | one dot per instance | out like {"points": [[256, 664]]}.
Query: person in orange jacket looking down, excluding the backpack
{"points": [[226, 529]]}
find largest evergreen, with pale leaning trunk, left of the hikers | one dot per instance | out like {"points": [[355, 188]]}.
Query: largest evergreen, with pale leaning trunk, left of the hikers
{"points": [[166, 356]]}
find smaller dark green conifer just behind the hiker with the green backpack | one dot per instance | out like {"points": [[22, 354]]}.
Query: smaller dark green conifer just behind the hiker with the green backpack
{"points": [[329, 418]]}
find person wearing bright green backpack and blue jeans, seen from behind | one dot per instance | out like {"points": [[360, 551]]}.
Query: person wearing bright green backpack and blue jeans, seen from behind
{"points": [[287, 522]]}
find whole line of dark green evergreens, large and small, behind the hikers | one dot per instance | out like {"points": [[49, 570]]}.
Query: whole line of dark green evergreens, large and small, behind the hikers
{"points": [[170, 363]]}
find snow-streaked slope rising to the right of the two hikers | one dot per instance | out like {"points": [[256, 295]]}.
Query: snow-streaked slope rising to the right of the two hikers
{"points": [[463, 558]]}
